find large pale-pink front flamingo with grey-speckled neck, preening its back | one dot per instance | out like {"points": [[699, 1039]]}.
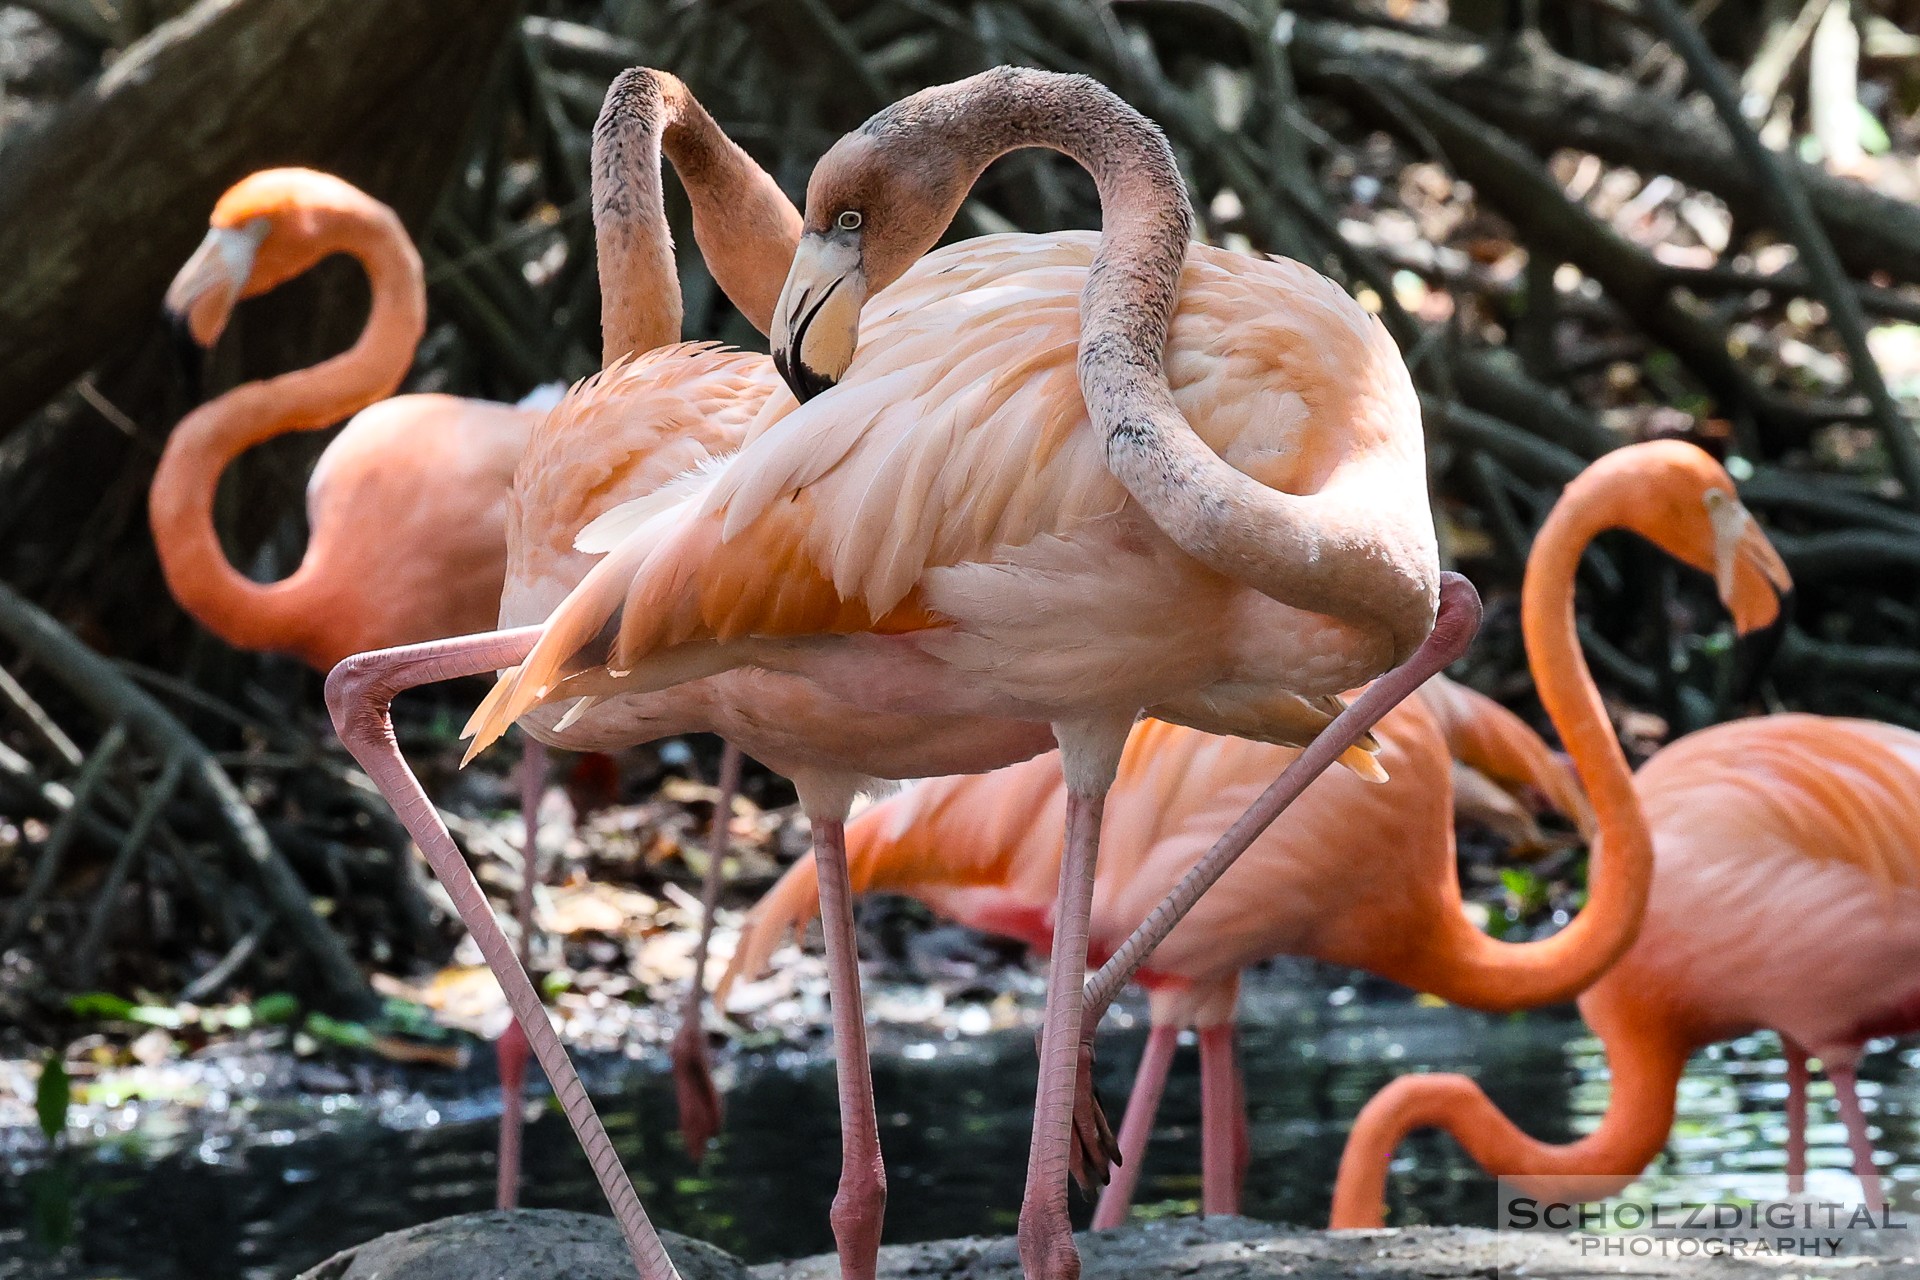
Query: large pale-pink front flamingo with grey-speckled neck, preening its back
{"points": [[946, 533]]}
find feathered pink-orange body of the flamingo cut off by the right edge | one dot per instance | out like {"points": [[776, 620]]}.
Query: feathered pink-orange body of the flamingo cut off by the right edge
{"points": [[1787, 888]]}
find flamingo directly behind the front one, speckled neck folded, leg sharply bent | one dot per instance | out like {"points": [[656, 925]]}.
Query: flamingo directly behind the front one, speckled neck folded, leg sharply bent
{"points": [[617, 437]]}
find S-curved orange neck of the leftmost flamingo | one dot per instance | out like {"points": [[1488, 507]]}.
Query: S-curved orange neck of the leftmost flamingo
{"points": [[283, 617]]}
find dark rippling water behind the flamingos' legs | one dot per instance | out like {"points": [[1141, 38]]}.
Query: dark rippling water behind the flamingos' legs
{"points": [[289, 1187]]}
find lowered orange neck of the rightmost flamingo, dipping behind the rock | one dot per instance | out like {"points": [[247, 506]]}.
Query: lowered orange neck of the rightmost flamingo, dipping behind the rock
{"points": [[1646, 1060]]}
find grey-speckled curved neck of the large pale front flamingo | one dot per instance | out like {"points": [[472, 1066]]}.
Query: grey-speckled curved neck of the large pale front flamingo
{"points": [[1310, 552]]}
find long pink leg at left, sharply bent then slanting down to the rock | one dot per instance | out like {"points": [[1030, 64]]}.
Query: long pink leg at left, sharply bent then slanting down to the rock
{"points": [[360, 694]]}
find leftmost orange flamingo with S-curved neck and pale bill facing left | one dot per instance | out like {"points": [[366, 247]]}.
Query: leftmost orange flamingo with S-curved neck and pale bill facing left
{"points": [[406, 508]]}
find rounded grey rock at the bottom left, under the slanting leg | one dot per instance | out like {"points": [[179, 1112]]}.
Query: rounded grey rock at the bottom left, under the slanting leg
{"points": [[529, 1244]]}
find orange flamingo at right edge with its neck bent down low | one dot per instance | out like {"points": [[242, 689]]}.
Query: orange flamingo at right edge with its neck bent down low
{"points": [[1787, 895]]}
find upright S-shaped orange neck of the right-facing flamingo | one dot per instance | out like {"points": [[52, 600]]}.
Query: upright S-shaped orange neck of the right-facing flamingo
{"points": [[1472, 968]]}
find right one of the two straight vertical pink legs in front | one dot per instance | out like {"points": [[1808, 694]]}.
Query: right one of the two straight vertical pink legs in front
{"points": [[1090, 755]]}
